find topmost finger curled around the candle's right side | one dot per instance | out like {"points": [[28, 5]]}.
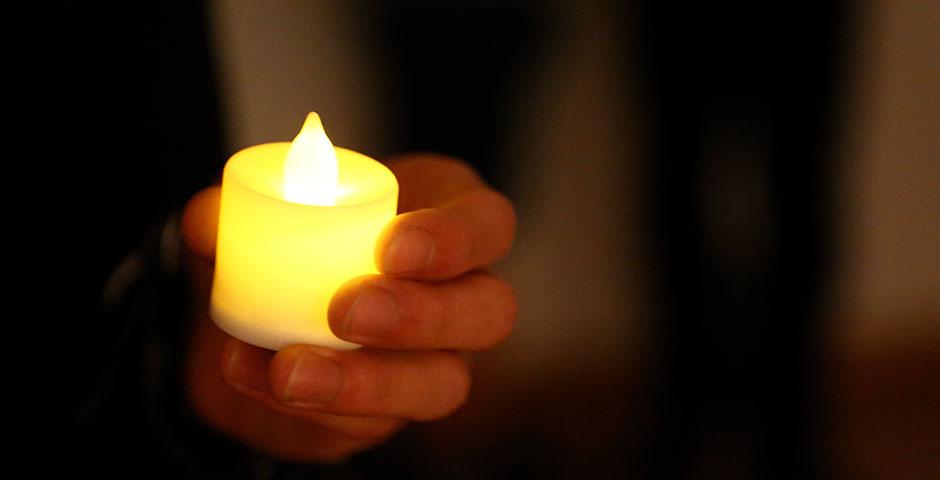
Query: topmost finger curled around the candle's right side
{"points": [[454, 222]]}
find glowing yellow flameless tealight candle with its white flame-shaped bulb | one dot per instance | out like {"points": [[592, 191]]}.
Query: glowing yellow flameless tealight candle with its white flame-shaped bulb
{"points": [[296, 221]]}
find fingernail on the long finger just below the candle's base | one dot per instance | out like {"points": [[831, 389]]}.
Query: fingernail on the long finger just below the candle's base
{"points": [[315, 378]]}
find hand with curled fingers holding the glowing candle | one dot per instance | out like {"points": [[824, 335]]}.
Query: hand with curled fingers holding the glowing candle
{"points": [[433, 302]]}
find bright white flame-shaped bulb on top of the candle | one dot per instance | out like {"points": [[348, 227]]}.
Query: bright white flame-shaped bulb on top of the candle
{"points": [[311, 171]]}
